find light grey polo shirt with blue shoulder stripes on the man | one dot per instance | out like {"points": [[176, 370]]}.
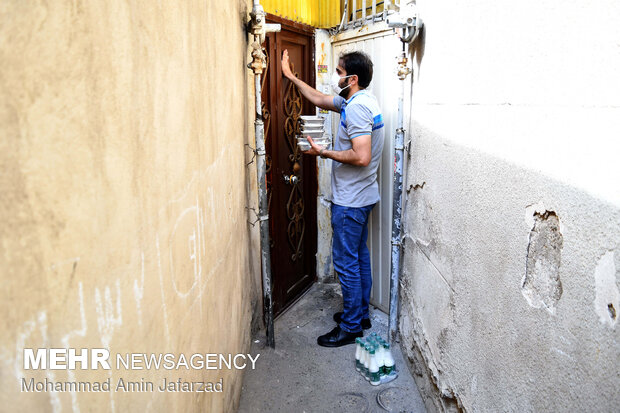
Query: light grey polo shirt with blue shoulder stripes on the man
{"points": [[356, 186]]}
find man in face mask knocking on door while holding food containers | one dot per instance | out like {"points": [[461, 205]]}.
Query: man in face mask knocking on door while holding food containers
{"points": [[356, 156]]}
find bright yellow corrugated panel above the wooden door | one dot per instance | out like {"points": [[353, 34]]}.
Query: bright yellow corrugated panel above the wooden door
{"points": [[317, 13]]}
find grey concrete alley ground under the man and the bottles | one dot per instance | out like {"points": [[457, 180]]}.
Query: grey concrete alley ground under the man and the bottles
{"points": [[300, 376]]}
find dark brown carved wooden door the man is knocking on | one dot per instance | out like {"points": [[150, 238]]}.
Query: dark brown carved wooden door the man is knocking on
{"points": [[291, 176]]}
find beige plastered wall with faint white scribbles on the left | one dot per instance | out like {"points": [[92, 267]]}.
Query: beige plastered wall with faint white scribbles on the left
{"points": [[123, 186]]}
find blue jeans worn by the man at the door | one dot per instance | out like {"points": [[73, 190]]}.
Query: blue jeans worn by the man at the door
{"points": [[352, 263]]}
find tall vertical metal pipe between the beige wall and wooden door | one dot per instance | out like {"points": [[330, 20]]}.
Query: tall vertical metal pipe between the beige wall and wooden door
{"points": [[259, 29]]}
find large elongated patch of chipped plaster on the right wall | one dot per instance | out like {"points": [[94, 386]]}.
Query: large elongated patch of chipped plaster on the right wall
{"points": [[541, 286]]}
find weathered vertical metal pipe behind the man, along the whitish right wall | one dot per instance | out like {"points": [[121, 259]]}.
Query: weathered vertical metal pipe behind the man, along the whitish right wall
{"points": [[399, 146]]}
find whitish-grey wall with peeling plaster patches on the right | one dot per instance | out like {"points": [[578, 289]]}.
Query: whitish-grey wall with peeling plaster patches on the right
{"points": [[512, 254]]}
